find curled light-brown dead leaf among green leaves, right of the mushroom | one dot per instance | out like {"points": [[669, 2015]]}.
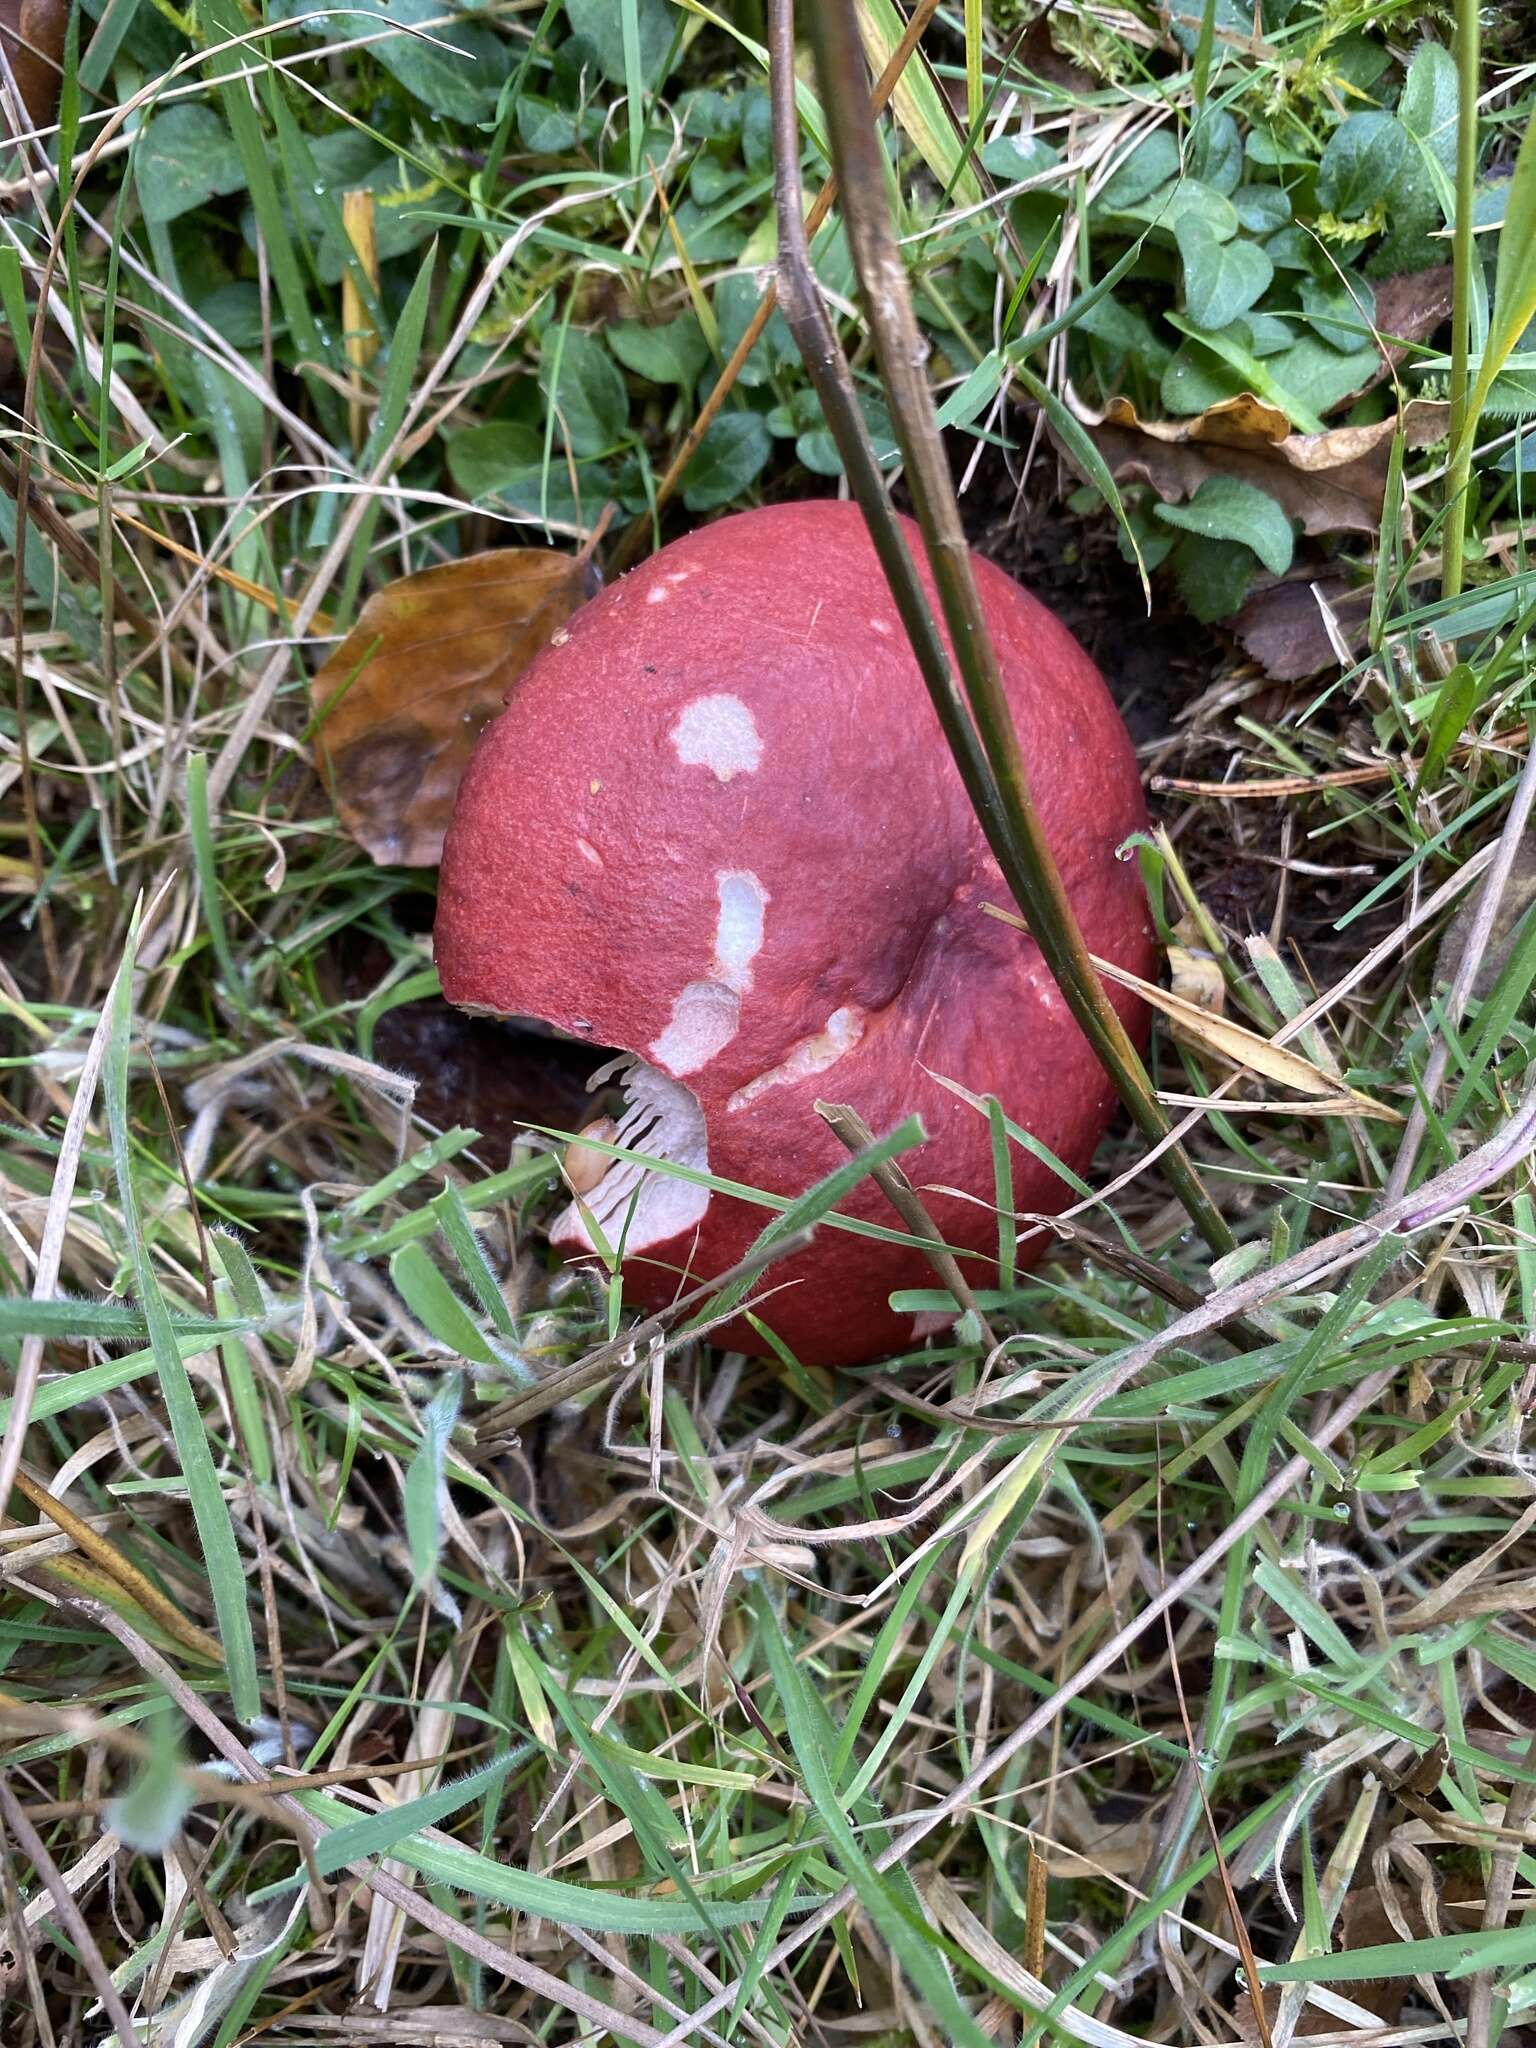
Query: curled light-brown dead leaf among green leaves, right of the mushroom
{"points": [[1328, 482]]}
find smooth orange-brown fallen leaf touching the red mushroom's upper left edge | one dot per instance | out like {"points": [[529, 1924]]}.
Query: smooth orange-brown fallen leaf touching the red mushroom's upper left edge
{"points": [[427, 667]]}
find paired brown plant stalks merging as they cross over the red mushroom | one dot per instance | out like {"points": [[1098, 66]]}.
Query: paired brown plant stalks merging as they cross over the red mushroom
{"points": [[986, 742]]}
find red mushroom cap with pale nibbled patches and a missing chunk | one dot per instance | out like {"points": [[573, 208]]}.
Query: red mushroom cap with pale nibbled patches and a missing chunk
{"points": [[720, 828]]}
